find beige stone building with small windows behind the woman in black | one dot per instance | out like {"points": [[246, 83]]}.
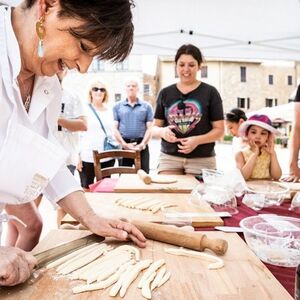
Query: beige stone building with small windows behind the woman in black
{"points": [[249, 85]]}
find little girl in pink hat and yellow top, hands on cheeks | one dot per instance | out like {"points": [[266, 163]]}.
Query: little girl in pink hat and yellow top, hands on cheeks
{"points": [[259, 159]]}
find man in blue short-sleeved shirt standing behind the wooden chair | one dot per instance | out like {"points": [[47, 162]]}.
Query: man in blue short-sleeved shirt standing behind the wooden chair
{"points": [[133, 120]]}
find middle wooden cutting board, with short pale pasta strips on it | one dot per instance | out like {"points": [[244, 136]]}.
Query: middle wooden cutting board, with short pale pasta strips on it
{"points": [[103, 204]]}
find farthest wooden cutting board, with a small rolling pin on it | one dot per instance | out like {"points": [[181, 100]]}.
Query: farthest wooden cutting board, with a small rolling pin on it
{"points": [[132, 183]]}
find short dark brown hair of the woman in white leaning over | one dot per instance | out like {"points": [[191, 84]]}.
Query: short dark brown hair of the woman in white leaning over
{"points": [[108, 25]]}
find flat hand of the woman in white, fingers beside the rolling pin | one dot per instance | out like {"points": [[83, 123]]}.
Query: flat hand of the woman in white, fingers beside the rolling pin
{"points": [[118, 229]]}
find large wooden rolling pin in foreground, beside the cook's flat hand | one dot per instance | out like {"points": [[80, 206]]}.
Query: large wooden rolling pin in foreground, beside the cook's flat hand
{"points": [[174, 236]]}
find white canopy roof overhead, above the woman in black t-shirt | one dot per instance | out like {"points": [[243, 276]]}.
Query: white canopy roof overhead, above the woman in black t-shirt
{"points": [[227, 29]]}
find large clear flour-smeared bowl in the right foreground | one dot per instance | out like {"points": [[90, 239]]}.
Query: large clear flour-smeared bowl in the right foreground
{"points": [[274, 239]]}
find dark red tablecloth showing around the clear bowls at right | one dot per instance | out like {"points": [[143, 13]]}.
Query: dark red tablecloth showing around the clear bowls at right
{"points": [[286, 276]]}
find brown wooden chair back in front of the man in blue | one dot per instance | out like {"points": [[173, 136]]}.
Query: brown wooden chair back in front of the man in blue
{"points": [[100, 173]]}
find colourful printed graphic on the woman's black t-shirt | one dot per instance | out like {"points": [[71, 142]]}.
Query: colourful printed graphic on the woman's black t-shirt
{"points": [[185, 114]]}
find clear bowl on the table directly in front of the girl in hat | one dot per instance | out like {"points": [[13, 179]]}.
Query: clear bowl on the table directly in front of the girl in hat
{"points": [[274, 193]]}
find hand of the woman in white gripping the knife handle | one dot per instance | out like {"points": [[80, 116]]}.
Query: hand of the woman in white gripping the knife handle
{"points": [[15, 265]]}
